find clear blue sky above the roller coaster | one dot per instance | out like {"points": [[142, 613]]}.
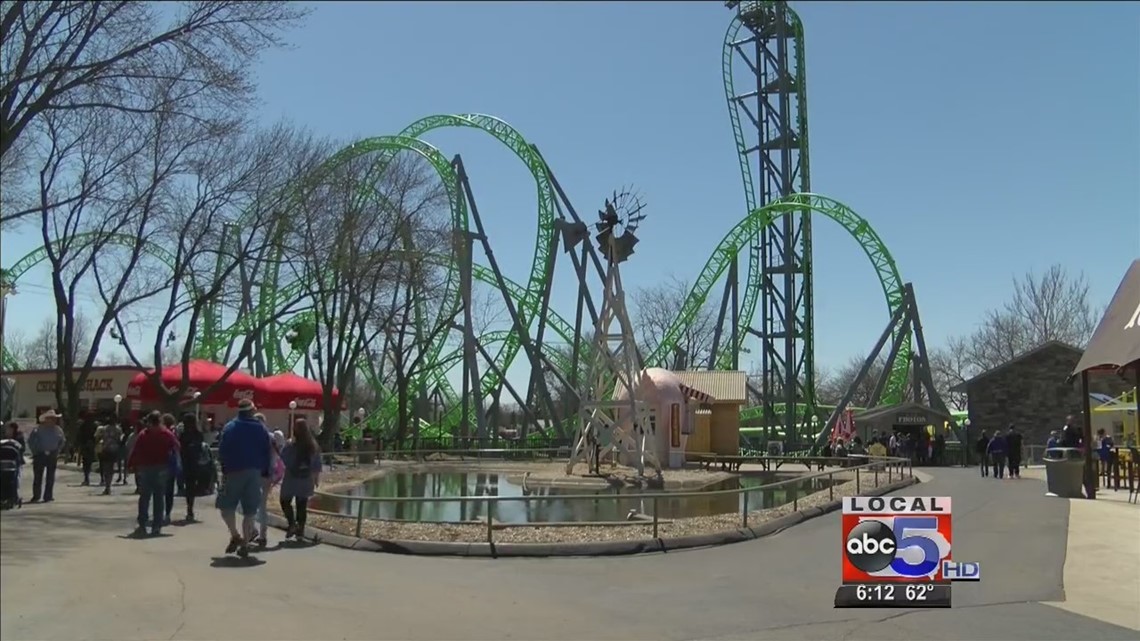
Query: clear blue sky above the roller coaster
{"points": [[980, 140]]}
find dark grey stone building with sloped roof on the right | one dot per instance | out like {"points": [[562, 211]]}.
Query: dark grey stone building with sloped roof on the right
{"points": [[1032, 394]]}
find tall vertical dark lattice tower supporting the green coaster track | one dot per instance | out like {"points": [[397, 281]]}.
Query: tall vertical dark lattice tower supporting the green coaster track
{"points": [[781, 264]]}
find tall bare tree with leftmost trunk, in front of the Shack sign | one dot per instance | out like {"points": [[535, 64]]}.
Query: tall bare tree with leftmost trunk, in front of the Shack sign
{"points": [[102, 106]]}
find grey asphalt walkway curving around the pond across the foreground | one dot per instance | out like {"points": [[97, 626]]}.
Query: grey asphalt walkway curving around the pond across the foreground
{"points": [[69, 572]]}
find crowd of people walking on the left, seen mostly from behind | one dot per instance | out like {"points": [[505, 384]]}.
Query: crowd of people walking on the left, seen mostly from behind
{"points": [[168, 458]]}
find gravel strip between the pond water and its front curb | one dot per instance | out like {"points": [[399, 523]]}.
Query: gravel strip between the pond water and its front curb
{"points": [[477, 533]]}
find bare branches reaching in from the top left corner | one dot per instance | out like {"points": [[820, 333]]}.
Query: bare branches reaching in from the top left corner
{"points": [[94, 58]]}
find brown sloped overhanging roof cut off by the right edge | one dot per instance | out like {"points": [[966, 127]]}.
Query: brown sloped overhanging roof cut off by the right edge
{"points": [[1117, 342]]}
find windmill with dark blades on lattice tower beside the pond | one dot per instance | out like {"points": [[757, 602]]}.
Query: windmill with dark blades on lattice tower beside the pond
{"points": [[615, 364]]}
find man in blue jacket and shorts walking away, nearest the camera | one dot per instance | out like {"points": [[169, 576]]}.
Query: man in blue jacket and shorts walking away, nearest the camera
{"points": [[245, 452]]}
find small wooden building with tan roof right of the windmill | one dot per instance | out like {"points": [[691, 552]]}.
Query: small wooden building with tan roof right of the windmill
{"points": [[716, 427]]}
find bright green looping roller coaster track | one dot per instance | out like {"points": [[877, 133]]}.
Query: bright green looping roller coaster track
{"points": [[530, 297]]}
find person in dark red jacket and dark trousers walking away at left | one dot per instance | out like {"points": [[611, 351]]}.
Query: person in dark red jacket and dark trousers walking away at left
{"points": [[150, 461]]}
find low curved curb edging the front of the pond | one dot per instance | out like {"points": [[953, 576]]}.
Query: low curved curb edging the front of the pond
{"points": [[588, 549]]}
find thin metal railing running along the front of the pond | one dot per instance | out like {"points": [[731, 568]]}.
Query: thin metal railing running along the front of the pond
{"points": [[893, 468]]}
